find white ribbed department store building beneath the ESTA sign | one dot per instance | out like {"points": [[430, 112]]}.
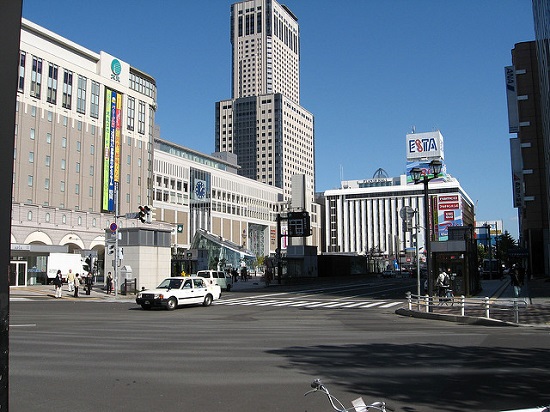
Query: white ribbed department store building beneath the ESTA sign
{"points": [[365, 216]]}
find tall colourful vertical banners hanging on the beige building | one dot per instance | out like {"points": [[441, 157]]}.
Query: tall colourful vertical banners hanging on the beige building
{"points": [[111, 147]]}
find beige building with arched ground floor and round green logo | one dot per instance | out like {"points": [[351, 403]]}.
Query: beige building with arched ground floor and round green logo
{"points": [[83, 146]]}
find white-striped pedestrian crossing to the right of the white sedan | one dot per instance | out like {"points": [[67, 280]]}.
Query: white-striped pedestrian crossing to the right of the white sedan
{"points": [[297, 303]]}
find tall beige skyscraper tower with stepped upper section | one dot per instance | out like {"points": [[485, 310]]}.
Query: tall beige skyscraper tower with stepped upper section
{"points": [[263, 122]]}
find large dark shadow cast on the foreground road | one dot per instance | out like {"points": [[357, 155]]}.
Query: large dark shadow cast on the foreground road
{"points": [[447, 378]]}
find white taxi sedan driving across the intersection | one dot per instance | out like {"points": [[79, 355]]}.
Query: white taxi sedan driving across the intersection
{"points": [[175, 291]]}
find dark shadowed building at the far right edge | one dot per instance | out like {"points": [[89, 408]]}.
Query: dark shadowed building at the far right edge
{"points": [[529, 167]]}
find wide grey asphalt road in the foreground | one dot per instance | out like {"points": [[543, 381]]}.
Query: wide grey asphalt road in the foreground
{"points": [[94, 356]]}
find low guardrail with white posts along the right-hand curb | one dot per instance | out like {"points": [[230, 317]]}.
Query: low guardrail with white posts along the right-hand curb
{"points": [[490, 308]]}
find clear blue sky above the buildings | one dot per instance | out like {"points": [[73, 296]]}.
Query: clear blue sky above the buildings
{"points": [[370, 72]]}
